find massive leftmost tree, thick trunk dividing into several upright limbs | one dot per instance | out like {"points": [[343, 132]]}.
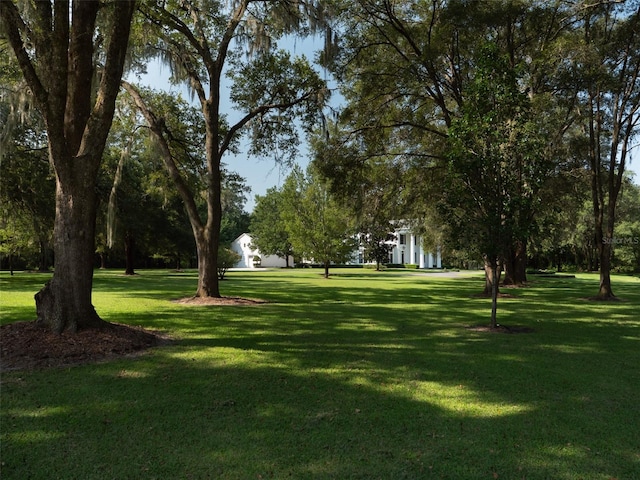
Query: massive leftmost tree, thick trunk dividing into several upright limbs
{"points": [[71, 54]]}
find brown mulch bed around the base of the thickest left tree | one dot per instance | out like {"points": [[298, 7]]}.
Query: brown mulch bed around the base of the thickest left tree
{"points": [[26, 345]]}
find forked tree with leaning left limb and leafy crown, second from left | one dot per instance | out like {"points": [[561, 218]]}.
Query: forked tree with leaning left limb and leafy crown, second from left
{"points": [[203, 41]]}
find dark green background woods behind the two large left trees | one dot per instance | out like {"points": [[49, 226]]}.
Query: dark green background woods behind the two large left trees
{"points": [[141, 221]]}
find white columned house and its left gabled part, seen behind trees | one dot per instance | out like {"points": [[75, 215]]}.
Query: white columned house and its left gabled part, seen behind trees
{"points": [[406, 249]]}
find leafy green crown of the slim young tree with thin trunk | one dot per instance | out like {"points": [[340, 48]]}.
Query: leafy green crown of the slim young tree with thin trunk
{"points": [[493, 145]]}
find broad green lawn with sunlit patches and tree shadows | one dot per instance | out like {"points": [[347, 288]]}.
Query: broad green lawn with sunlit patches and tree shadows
{"points": [[367, 375]]}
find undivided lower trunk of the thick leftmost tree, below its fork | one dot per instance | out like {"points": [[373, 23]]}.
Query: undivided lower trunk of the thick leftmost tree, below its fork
{"points": [[64, 304]]}
